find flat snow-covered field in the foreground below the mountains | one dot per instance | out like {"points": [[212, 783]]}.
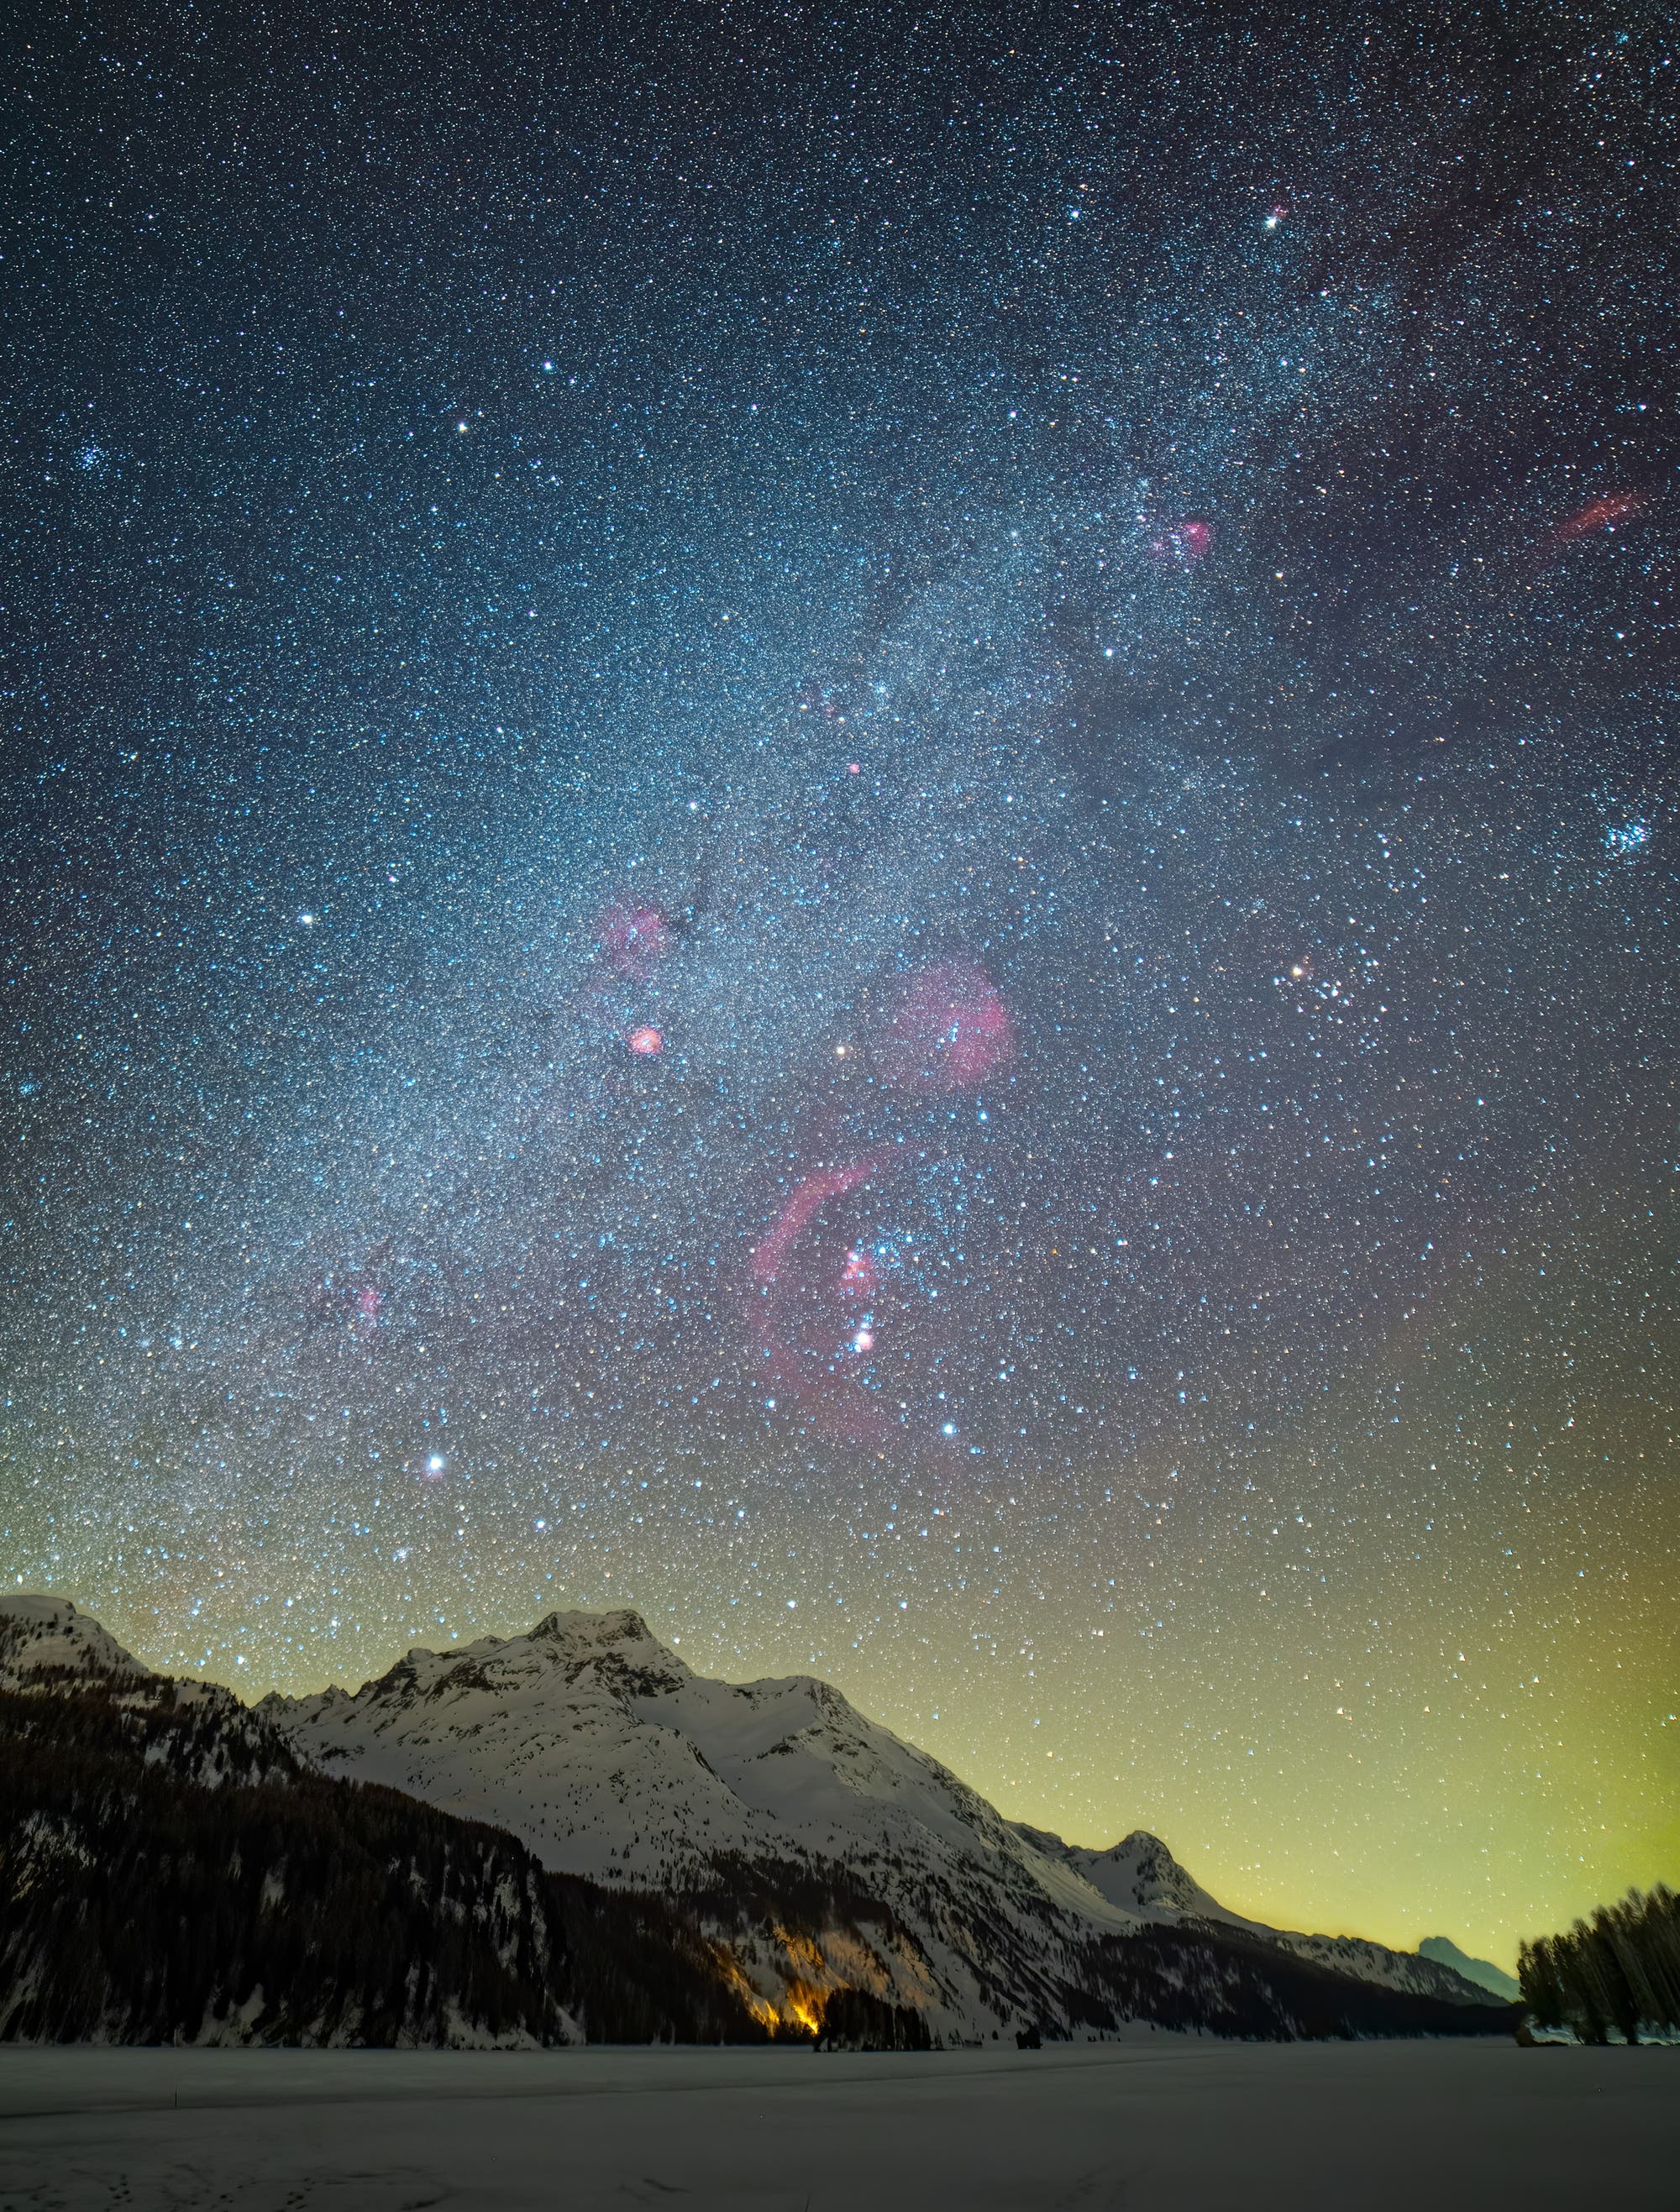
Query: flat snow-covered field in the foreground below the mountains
{"points": [[1154, 2122]]}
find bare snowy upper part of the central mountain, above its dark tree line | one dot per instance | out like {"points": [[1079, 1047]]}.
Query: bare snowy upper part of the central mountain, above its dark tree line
{"points": [[619, 1762]]}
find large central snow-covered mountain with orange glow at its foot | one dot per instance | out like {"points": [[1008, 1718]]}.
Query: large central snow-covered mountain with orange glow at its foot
{"points": [[610, 1757]]}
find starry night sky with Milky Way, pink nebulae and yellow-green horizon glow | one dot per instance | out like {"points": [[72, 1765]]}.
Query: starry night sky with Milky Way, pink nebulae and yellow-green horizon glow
{"points": [[860, 822]]}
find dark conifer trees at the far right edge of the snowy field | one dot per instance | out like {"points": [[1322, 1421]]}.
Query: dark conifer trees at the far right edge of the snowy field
{"points": [[1619, 1970]]}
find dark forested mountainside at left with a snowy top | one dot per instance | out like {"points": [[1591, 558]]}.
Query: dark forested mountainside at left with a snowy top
{"points": [[172, 1872]]}
